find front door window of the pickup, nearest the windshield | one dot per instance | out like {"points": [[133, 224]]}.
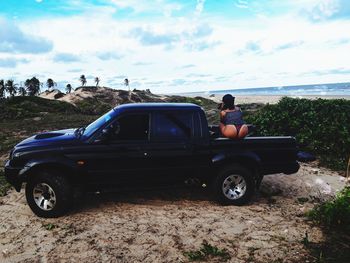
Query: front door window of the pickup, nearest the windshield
{"points": [[131, 127]]}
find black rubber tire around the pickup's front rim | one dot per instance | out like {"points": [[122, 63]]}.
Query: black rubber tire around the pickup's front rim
{"points": [[62, 189]]}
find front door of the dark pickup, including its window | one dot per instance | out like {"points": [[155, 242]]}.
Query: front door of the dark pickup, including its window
{"points": [[121, 159]]}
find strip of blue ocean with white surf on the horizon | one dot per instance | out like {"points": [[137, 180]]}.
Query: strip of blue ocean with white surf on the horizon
{"points": [[333, 89]]}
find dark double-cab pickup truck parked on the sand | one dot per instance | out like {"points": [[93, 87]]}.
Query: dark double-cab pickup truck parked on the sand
{"points": [[140, 145]]}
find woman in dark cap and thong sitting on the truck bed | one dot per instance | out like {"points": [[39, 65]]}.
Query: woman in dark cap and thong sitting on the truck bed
{"points": [[231, 122]]}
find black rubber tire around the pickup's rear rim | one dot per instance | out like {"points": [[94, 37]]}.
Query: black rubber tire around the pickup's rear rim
{"points": [[243, 175]]}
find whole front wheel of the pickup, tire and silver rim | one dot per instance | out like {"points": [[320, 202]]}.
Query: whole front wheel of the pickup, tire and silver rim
{"points": [[48, 194]]}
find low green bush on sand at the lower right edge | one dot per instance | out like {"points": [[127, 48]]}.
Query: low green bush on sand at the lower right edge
{"points": [[335, 213]]}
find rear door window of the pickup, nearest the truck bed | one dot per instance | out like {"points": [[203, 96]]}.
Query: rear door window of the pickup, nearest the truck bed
{"points": [[173, 126]]}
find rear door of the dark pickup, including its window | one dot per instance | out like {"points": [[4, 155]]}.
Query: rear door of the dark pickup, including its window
{"points": [[171, 152]]}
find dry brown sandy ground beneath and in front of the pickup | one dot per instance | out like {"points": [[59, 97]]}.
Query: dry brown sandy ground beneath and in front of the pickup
{"points": [[160, 226]]}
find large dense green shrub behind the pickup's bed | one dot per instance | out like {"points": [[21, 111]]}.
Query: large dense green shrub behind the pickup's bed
{"points": [[320, 126]]}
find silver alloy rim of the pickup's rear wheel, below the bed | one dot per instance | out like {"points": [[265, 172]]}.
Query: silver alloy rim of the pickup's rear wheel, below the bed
{"points": [[234, 186]]}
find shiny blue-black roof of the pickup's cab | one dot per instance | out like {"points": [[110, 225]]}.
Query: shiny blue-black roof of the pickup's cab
{"points": [[157, 105]]}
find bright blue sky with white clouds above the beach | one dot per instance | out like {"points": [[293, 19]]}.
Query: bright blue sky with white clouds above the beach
{"points": [[176, 46]]}
